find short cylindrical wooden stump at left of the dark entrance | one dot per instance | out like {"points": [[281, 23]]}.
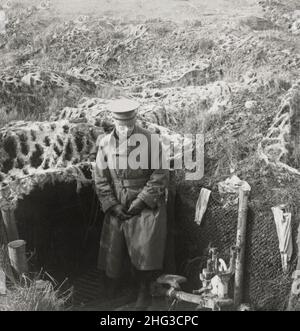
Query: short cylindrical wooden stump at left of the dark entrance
{"points": [[17, 256]]}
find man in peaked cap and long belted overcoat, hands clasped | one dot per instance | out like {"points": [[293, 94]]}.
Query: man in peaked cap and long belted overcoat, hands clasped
{"points": [[134, 203]]}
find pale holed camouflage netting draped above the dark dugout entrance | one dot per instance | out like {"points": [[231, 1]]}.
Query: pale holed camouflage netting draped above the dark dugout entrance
{"points": [[33, 155]]}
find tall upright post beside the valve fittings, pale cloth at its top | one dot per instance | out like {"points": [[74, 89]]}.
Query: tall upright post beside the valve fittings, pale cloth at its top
{"points": [[241, 244]]}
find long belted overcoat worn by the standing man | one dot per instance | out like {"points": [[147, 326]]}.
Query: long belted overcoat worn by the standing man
{"points": [[142, 238]]}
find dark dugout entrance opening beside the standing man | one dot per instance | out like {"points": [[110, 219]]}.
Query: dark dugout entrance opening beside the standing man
{"points": [[62, 229]]}
